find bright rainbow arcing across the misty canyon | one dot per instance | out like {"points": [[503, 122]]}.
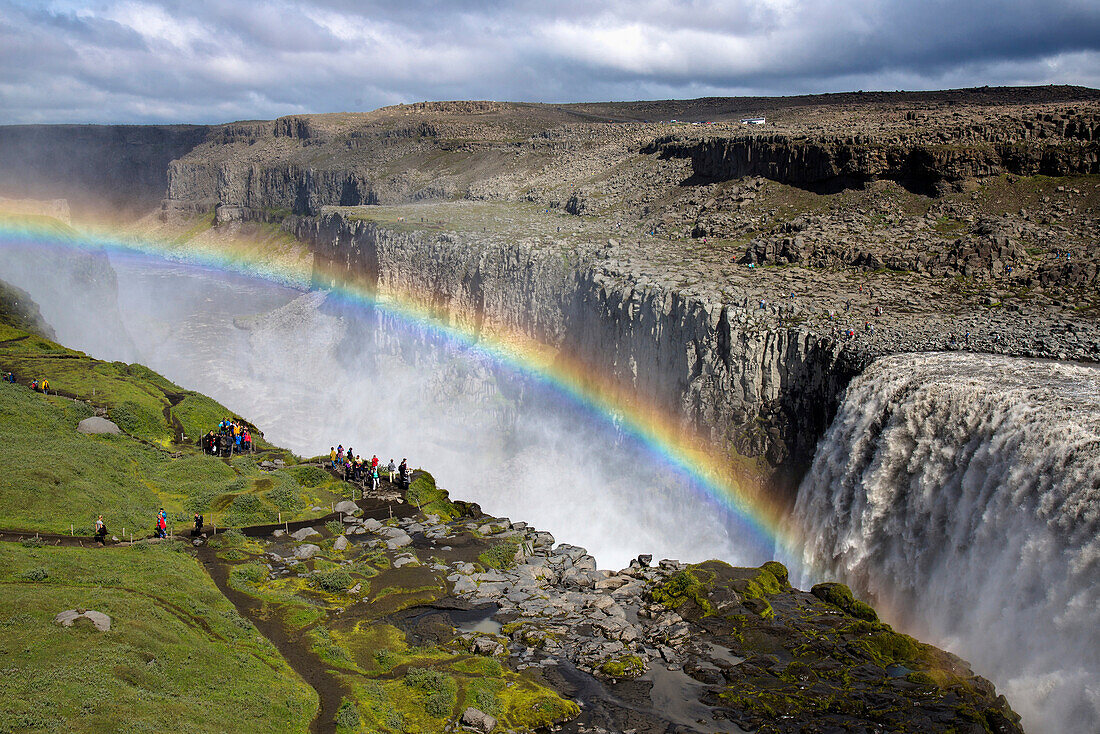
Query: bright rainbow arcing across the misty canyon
{"points": [[658, 432]]}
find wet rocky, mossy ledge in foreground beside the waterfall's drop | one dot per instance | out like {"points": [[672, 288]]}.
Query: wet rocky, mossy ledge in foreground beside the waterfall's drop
{"points": [[665, 648]]}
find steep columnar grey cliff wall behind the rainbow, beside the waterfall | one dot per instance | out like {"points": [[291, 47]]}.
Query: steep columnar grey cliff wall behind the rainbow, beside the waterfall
{"points": [[765, 396]]}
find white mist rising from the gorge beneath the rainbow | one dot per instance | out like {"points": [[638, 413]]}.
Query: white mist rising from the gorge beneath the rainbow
{"points": [[314, 371]]}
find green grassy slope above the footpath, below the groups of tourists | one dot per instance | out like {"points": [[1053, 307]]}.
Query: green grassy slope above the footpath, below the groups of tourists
{"points": [[56, 478]]}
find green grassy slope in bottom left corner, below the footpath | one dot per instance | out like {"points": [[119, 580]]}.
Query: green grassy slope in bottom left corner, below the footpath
{"points": [[178, 658]]}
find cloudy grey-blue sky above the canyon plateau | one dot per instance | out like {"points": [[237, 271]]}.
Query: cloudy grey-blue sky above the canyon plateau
{"points": [[214, 61]]}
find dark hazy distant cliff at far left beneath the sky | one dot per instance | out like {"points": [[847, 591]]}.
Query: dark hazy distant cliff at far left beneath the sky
{"points": [[120, 169]]}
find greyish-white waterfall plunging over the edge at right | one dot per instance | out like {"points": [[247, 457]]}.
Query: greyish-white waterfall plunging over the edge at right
{"points": [[963, 495]]}
